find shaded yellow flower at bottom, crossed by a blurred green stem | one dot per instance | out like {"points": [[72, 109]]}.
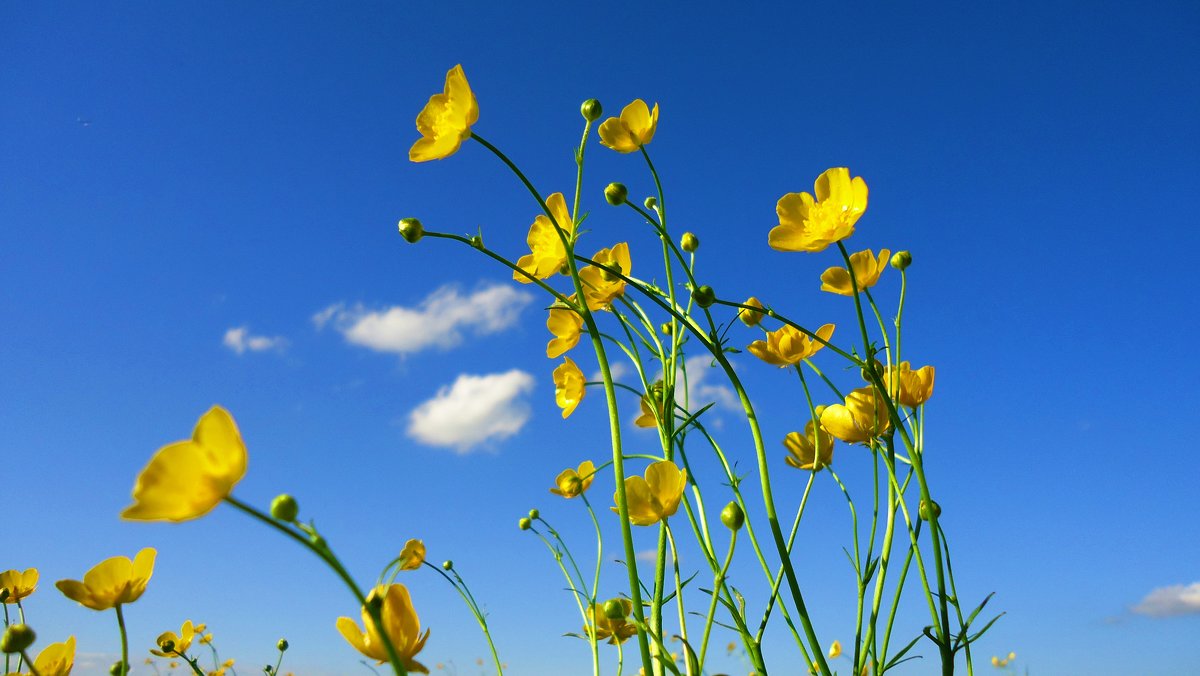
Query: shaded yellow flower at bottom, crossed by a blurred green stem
{"points": [[400, 623]]}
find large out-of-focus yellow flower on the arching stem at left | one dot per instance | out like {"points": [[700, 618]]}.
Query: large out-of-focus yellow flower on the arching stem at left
{"points": [[189, 478]]}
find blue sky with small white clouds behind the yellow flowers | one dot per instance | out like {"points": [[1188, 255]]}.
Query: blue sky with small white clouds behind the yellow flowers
{"points": [[171, 174]]}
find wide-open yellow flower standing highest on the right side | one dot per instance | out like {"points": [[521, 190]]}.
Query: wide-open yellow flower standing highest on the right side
{"points": [[812, 225]]}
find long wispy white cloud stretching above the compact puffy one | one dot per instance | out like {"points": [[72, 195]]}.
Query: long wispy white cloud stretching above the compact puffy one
{"points": [[437, 322]]}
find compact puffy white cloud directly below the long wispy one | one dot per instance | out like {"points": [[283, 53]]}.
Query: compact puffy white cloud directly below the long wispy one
{"points": [[472, 411]]}
